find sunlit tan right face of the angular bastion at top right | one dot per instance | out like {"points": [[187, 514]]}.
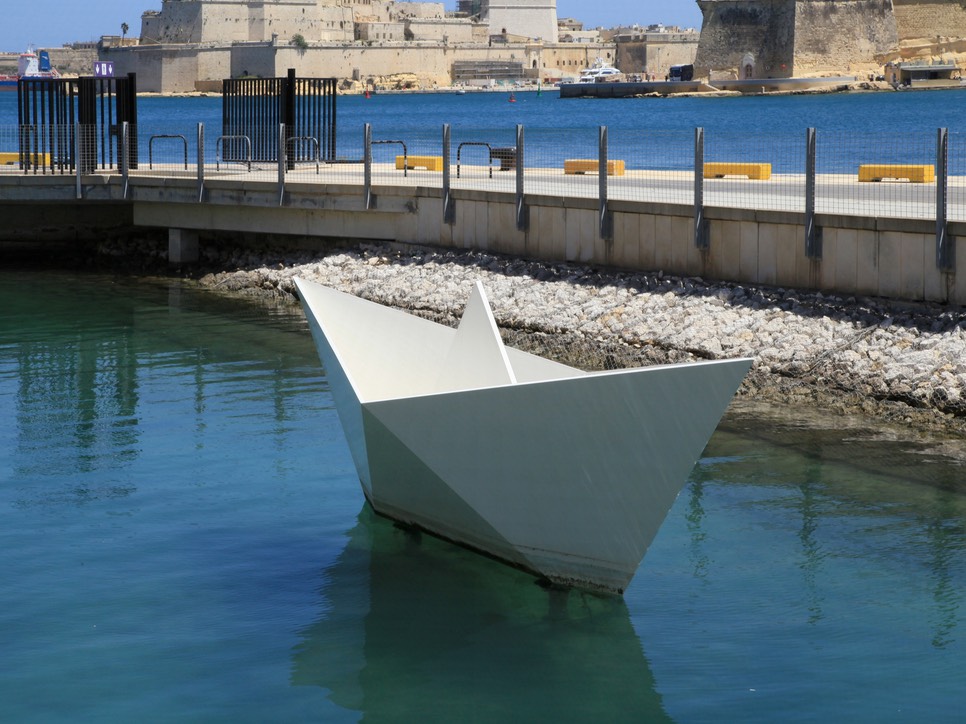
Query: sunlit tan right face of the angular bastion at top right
{"points": [[834, 36]]}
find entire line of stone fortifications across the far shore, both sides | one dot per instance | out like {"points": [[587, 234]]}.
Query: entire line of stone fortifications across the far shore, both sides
{"points": [[191, 45]]}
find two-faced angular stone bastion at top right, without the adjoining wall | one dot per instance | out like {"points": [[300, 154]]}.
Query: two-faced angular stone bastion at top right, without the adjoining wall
{"points": [[788, 38]]}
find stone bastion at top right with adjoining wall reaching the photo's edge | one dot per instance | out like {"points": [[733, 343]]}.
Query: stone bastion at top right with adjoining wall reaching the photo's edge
{"points": [[789, 38]]}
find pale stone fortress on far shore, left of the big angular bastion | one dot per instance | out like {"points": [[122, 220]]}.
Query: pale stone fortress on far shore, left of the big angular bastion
{"points": [[191, 45]]}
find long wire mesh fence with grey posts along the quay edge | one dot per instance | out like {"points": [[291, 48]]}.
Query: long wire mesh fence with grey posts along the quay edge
{"points": [[912, 176]]}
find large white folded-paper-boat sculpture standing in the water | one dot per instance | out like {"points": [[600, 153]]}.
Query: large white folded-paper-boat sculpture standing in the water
{"points": [[565, 473]]}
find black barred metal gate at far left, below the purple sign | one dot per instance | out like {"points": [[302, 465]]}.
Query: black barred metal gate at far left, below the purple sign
{"points": [[60, 118]]}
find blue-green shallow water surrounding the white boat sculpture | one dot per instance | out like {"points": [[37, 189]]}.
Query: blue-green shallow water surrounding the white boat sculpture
{"points": [[182, 537]]}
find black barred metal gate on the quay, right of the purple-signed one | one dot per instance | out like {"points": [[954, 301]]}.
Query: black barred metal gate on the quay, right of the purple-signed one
{"points": [[254, 108]]}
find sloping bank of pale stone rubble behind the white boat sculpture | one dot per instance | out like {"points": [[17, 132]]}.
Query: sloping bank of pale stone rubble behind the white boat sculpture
{"points": [[904, 362]]}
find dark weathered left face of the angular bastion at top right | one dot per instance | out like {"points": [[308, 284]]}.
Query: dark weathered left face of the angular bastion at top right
{"points": [[734, 31]]}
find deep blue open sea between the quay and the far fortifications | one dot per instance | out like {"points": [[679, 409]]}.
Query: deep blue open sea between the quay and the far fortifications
{"points": [[651, 132]]}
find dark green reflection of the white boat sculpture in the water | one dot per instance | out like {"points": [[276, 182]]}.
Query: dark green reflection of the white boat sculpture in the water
{"points": [[418, 629]]}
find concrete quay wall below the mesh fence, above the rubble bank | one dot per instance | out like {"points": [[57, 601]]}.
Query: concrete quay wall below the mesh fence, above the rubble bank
{"points": [[892, 258]]}
